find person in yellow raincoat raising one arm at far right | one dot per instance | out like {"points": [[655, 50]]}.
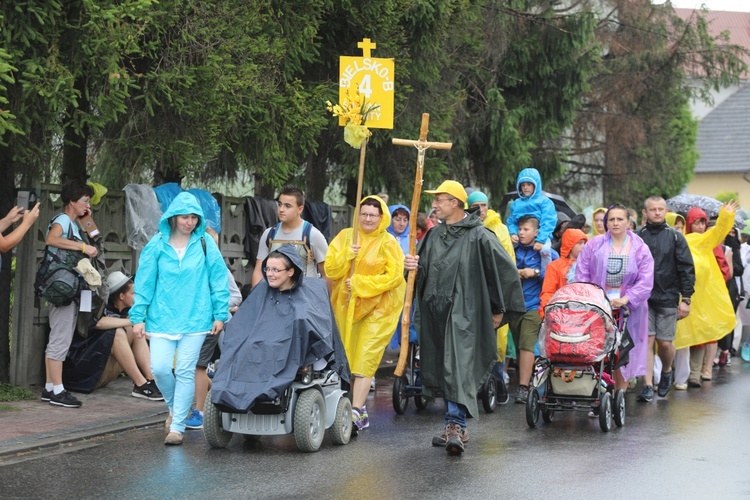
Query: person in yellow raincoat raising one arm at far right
{"points": [[711, 311]]}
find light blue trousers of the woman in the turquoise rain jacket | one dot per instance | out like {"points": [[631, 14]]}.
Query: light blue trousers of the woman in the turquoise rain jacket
{"points": [[178, 388]]}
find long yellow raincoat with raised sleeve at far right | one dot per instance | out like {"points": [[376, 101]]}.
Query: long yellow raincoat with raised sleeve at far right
{"points": [[711, 312]]}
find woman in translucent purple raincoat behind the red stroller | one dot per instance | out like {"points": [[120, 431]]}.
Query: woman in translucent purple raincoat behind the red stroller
{"points": [[621, 263]]}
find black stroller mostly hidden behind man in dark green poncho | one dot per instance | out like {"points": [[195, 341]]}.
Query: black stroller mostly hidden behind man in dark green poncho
{"points": [[408, 386]]}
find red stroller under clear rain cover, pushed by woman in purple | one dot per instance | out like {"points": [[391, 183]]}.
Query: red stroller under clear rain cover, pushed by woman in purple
{"points": [[579, 342]]}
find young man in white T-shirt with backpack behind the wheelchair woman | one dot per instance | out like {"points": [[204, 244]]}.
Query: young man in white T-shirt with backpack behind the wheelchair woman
{"points": [[292, 229]]}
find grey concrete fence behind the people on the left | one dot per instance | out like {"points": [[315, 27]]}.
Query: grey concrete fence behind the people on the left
{"points": [[31, 323]]}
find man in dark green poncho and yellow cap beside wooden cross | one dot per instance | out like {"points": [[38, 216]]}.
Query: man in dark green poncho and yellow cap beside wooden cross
{"points": [[466, 287]]}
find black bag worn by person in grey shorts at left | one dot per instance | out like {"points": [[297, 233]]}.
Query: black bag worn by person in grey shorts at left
{"points": [[57, 281]]}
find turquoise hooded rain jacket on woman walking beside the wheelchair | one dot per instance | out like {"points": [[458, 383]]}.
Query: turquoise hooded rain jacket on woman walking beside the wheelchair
{"points": [[174, 297]]}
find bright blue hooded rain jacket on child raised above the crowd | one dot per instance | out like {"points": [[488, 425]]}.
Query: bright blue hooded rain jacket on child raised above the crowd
{"points": [[536, 205]]}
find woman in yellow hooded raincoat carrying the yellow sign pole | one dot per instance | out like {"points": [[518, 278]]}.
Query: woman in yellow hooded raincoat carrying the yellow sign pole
{"points": [[366, 305]]}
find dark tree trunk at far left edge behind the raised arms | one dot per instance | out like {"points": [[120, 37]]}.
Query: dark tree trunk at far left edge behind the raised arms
{"points": [[7, 200]]}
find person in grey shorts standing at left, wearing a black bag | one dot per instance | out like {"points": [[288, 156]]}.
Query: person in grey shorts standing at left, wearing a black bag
{"points": [[63, 234]]}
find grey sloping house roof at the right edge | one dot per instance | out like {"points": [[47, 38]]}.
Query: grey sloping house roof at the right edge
{"points": [[723, 136]]}
